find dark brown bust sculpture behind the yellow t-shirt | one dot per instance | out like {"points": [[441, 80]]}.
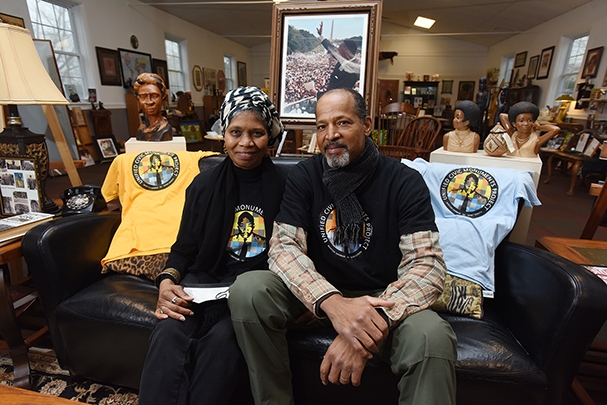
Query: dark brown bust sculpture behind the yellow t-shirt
{"points": [[151, 93]]}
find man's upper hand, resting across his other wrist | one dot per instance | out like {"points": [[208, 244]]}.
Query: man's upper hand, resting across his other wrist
{"points": [[358, 322]]}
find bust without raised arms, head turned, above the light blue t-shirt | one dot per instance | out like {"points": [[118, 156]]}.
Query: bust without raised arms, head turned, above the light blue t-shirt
{"points": [[462, 138]]}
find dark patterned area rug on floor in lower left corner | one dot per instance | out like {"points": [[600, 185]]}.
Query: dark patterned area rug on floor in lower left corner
{"points": [[48, 378]]}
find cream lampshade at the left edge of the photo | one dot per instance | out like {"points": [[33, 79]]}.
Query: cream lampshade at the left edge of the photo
{"points": [[23, 78]]}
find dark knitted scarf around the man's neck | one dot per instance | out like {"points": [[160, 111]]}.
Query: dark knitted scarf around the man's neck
{"points": [[342, 184]]}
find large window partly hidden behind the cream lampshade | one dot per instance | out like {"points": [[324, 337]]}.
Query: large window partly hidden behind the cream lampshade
{"points": [[54, 22]]}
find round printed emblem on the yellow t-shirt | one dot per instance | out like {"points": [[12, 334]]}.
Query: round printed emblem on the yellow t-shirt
{"points": [[155, 170]]}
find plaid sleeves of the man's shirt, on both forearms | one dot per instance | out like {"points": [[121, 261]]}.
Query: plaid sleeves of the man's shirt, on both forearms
{"points": [[421, 272]]}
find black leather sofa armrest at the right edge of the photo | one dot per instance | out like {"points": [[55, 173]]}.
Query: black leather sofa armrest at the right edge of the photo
{"points": [[553, 307]]}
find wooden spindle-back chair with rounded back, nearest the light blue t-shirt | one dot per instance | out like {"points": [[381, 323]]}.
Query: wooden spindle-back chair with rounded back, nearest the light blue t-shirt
{"points": [[415, 141]]}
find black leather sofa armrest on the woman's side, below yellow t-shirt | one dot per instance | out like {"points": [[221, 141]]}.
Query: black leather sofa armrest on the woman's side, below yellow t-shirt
{"points": [[63, 256]]}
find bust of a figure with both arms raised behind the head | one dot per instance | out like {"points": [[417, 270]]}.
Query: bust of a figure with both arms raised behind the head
{"points": [[520, 123]]}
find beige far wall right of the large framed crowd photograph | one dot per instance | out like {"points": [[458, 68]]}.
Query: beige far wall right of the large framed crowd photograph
{"points": [[426, 54]]}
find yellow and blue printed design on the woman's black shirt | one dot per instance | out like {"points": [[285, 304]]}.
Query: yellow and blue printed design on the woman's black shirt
{"points": [[248, 238]]}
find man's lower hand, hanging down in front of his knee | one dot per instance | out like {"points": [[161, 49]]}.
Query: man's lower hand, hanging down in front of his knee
{"points": [[342, 364]]}
